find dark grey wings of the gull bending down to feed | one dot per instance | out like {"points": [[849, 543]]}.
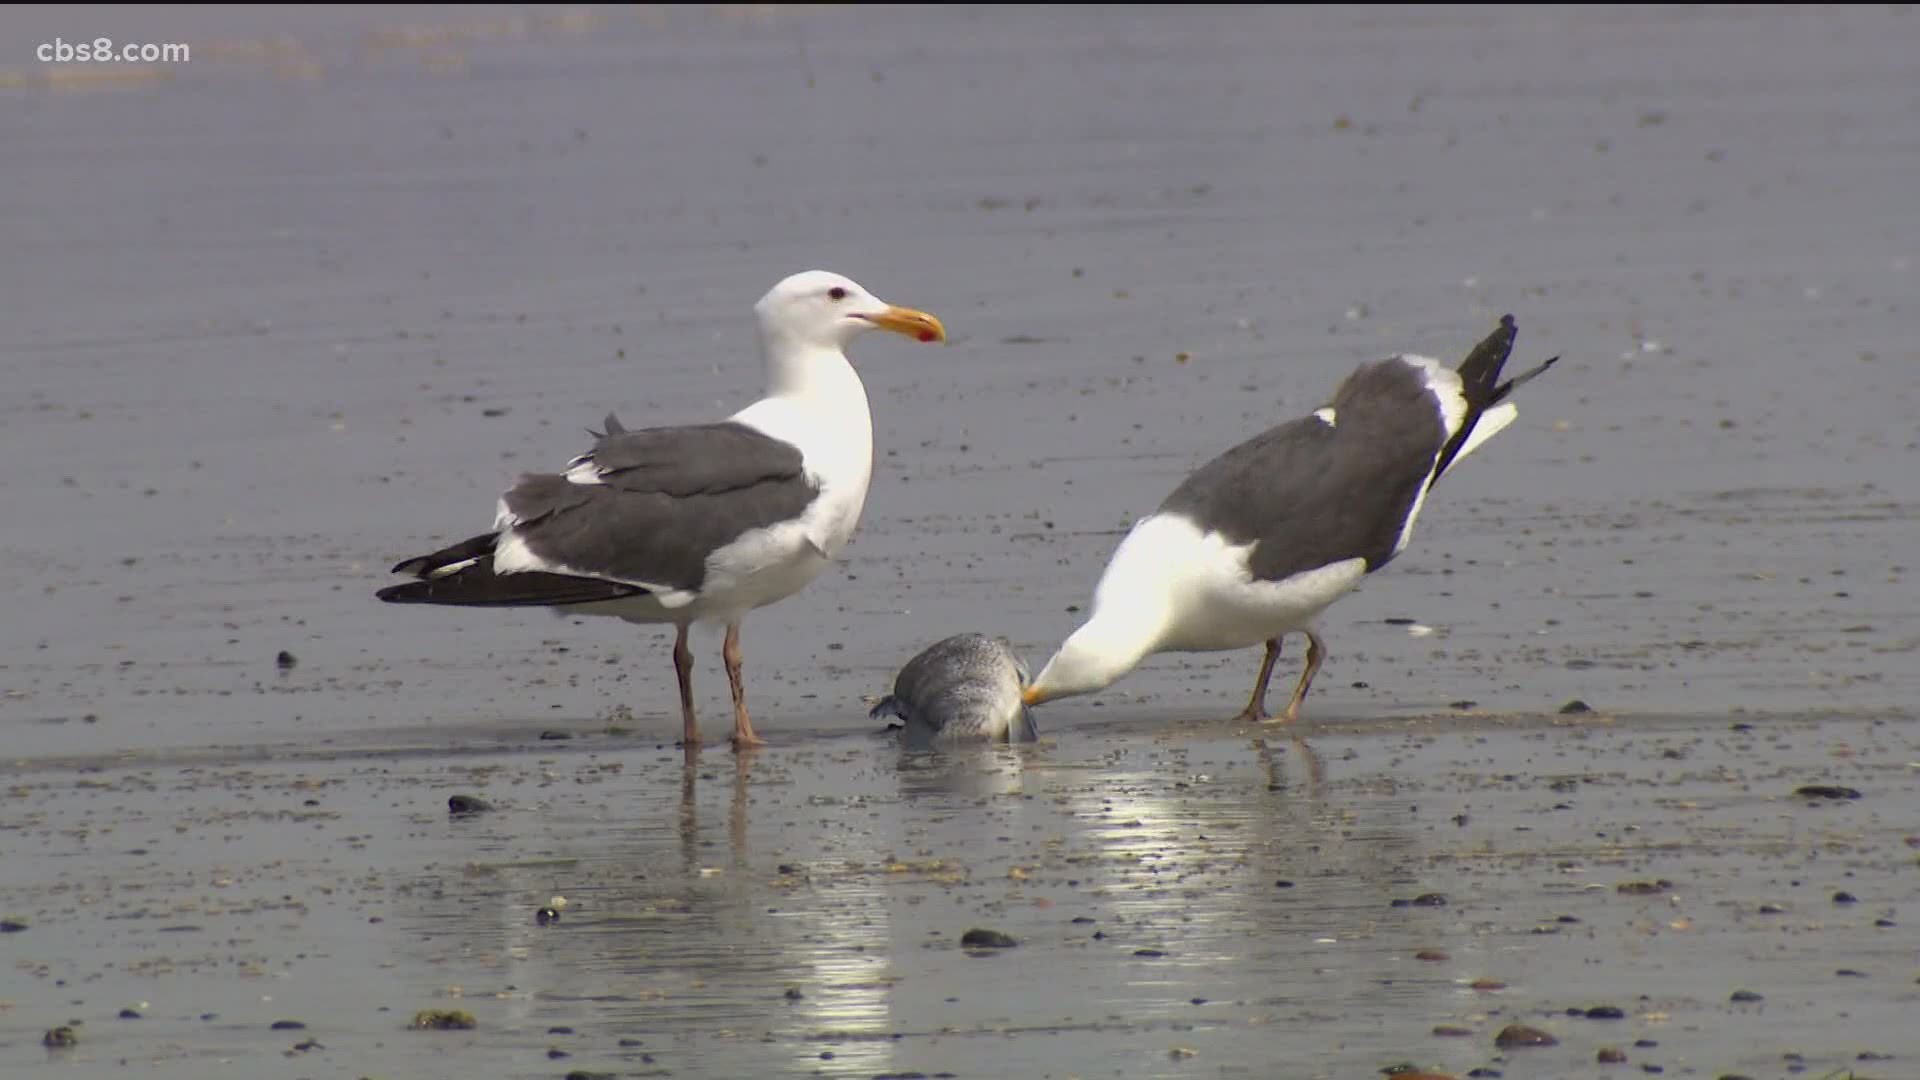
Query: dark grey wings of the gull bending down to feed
{"points": [[1308, 493]]}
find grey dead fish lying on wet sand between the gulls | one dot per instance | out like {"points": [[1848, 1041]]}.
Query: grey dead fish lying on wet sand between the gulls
{"points": [[961, 689]]}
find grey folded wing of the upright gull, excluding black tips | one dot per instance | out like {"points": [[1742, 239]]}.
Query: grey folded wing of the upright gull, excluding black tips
{"points": [[650, 506]]}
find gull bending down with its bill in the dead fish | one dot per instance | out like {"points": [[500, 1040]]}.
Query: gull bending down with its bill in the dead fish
{"points": [[1260, 541]]}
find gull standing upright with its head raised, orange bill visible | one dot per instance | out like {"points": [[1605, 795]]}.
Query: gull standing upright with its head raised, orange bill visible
{"points": [[696, 524]]}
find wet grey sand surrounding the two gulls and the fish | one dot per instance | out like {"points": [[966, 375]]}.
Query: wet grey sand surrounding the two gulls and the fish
{"points": [[285, 314]]}
